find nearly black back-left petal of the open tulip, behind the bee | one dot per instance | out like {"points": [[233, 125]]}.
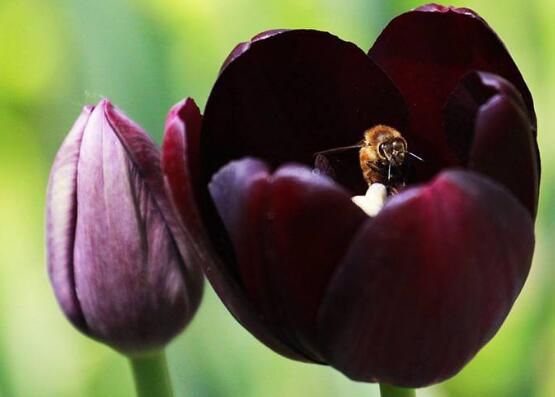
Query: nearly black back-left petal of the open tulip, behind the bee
{"points": [[292, 94]]}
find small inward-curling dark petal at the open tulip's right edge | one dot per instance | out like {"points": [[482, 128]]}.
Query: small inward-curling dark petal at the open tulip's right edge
{"points": [[486, 121]]}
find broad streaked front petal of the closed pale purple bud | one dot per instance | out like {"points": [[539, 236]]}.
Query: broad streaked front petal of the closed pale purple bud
{"points": [[140, 303]]}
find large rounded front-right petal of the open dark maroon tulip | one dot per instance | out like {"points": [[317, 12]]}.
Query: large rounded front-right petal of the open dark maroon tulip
{"points": [[428, 281]]}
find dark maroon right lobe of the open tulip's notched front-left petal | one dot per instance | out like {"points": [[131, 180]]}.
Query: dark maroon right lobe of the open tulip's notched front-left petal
{"points": [[310, 224]]}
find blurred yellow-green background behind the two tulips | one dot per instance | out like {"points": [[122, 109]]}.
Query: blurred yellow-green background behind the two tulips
{"points": [[57, 55]]}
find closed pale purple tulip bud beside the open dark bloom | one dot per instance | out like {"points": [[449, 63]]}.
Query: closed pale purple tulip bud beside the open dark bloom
{"points": [[115, 257]]}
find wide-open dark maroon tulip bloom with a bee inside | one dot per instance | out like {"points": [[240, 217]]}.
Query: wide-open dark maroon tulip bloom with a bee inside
{"points": [[406, 297]]}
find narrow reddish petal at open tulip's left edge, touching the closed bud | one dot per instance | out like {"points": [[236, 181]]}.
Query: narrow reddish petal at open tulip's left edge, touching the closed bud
{"points": [[180, 153]]}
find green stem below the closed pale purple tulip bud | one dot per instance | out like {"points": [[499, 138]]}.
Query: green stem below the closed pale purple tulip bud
{"points": [[151, 375]]}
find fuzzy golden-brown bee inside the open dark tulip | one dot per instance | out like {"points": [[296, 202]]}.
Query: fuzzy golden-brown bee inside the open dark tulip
{"points": [[382, 155]]}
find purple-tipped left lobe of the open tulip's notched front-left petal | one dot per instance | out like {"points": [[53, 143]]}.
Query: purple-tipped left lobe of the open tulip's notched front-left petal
{"points": [[240, 192]]}
